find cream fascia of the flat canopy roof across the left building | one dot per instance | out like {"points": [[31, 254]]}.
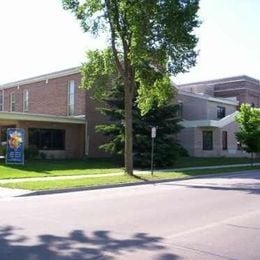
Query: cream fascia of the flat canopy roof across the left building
{"points": [[41, 118]]}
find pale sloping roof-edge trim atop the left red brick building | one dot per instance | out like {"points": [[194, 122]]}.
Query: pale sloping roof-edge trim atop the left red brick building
{"points": [[48, 76]]}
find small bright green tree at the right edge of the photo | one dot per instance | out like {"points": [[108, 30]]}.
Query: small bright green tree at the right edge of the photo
{"points": [[249, 129]]}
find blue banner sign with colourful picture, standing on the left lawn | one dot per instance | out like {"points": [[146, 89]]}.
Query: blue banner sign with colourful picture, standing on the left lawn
{"points": [[15, 146]]}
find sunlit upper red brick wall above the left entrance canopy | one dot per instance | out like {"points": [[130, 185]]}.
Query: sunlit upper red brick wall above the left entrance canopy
{"points": [[47, 97]]}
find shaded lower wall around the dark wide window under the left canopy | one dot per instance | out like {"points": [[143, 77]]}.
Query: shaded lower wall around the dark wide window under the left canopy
{"points": [[74, 138]]}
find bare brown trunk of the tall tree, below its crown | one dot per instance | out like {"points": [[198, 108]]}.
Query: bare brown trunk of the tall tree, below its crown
{"points": [[128, 129]]}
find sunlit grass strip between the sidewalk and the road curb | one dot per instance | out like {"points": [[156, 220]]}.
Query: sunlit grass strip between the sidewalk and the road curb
{"points": [[106, 180]]}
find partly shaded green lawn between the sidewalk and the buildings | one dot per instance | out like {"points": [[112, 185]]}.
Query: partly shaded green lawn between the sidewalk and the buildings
{"points": [[47, 168]]}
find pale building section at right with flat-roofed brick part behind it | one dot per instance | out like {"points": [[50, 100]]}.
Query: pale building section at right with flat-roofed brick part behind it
{"points": [[208, 112]]}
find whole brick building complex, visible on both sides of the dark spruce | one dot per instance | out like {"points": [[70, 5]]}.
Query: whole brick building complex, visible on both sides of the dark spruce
{"points": [[59, 118]]}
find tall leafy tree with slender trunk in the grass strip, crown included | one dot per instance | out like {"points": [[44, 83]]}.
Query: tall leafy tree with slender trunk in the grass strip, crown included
{"points": [[146, 37]]}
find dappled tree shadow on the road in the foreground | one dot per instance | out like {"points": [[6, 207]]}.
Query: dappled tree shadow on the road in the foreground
{"points": [[75, 246]]}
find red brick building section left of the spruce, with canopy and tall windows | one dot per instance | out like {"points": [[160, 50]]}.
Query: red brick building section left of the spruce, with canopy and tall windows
{"points": [[51, 108]]}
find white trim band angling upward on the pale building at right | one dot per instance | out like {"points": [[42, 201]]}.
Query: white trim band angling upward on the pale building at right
{"points": [[210, 123]]}
